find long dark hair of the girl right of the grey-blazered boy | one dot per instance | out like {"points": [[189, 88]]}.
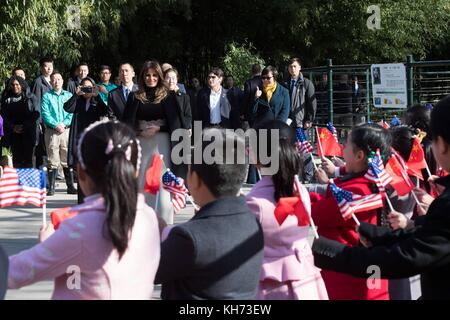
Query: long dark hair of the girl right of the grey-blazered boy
{"points": [[290, 162]]}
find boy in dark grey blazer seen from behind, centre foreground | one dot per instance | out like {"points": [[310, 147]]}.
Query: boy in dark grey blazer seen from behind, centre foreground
{"points": [[218, 253]]}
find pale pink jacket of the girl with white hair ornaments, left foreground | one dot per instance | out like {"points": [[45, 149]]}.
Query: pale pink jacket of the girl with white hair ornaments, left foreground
{"points": [[80, 244]]}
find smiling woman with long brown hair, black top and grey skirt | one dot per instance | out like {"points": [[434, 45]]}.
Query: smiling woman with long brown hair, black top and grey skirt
{"points": [[153, 112]]}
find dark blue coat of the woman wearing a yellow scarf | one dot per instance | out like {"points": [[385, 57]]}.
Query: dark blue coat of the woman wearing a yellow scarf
{"points": [[277, 109]]}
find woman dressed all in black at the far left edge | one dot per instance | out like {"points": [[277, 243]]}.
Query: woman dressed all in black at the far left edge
{"points": [[20, 112]]}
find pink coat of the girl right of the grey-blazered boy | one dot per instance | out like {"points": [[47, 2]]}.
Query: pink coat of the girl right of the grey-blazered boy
{"points": [[287, 253]]}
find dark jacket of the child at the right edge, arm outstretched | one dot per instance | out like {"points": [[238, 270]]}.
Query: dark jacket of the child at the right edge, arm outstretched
{"points": [[424, 250]]}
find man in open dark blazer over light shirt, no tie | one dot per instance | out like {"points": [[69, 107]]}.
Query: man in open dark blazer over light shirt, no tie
{"points": [[217, 106]]}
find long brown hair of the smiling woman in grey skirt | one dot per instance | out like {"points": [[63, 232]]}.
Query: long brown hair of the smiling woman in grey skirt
{"points": [[162, 89]]}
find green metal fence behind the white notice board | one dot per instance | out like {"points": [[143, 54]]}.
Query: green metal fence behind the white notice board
{"points": [[427, 82]]}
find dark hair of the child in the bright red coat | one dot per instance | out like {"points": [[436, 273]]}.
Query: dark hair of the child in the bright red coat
{"points": [[369, 137]]}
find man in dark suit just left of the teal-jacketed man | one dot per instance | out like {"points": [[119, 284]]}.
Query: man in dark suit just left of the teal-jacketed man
{"points": [[41, 86]]}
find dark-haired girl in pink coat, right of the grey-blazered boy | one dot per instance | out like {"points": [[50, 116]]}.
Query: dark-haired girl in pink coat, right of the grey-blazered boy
{"points": [[288, 270]]}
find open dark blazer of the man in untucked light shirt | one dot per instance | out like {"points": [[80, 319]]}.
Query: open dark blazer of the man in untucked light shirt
{"points": [[228, 120]]}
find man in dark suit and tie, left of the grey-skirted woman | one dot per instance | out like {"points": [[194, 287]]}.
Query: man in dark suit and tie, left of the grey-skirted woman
{"points": [[117, 98]]}
